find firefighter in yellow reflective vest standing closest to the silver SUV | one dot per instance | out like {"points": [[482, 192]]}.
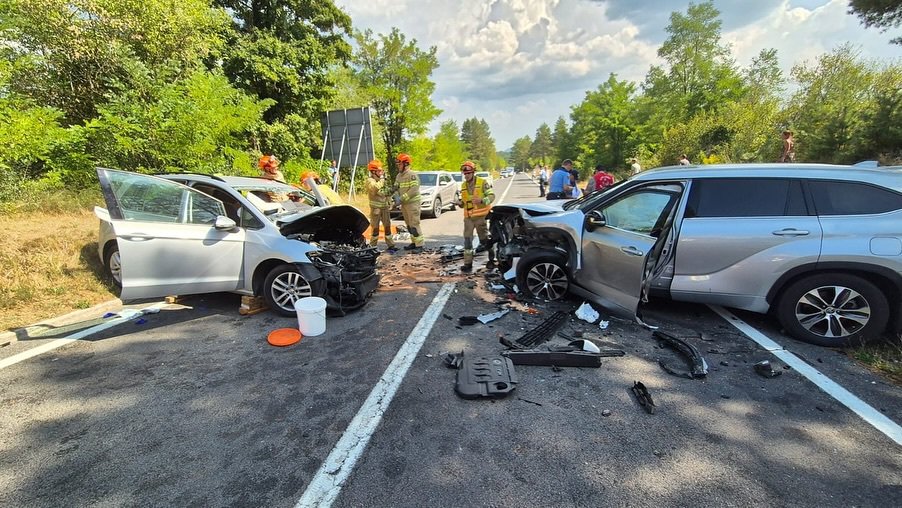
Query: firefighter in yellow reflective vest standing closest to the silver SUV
{"points": [[476, 196]]}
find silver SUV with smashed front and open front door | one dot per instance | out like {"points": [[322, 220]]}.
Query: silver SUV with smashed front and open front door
{"points": [[819, 246]]}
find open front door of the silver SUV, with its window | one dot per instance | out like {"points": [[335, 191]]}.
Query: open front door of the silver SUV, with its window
{"points": [[621, 240]]}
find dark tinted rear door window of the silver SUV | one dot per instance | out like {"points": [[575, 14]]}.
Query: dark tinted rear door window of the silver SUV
{"points": [[745, 197]]}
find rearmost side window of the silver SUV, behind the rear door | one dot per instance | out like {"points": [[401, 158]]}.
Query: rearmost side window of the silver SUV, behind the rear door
{"points": [[850, 198]]}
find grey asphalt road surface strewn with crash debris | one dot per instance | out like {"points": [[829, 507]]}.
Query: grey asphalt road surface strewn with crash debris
{"points": [[191, 406]]}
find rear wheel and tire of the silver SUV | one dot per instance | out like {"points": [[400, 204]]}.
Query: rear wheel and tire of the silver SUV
{"points": [[833, 309]]}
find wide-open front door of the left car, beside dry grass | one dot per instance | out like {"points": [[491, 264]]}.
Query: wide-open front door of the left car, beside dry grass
{"points": [[172, 240]]}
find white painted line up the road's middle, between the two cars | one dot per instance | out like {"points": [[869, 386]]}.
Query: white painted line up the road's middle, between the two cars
{"points": [[327, 483]]}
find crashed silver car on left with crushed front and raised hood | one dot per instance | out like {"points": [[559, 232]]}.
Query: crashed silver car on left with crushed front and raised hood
{"points": [[180, 234]]}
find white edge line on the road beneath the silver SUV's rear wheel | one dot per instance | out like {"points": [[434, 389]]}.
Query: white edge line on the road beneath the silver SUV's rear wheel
{"points": [[872, 416]]}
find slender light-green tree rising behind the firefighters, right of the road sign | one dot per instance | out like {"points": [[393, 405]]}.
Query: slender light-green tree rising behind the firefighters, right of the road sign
{"points": [[395, 74]]}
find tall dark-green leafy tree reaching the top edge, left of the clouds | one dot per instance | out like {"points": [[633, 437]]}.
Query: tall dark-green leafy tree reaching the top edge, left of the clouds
{"points": [[282, 50]]}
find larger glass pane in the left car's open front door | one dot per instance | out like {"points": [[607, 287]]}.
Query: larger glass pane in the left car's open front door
{"points": [[142, 198]]}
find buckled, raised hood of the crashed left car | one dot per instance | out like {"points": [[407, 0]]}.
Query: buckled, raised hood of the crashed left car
{"points": [[336, 223]]}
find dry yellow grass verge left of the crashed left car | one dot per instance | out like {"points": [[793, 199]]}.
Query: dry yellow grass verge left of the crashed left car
{"points": [[51, 266]]}
